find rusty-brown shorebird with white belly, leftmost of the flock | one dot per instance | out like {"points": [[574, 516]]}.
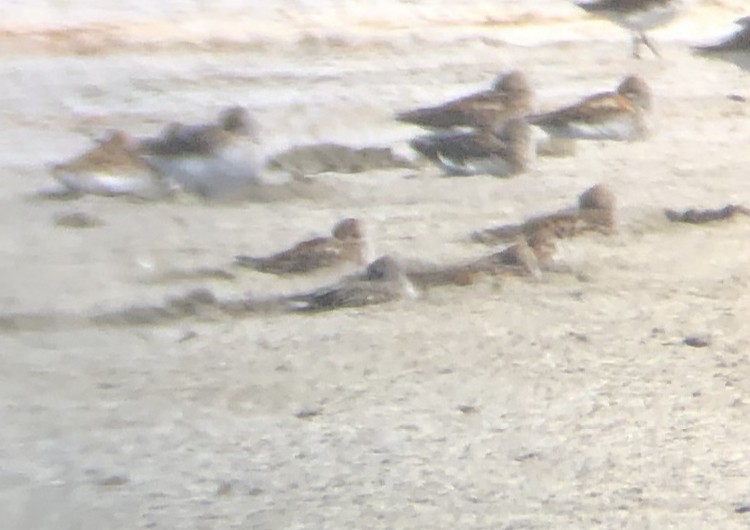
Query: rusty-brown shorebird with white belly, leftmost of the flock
{"points": [[113, 167]]}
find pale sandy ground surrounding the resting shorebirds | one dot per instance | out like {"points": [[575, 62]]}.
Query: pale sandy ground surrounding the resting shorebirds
{"points": [[588, 409]]}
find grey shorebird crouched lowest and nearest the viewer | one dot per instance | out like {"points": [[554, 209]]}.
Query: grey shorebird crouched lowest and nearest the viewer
{"points": [[382, 281]]}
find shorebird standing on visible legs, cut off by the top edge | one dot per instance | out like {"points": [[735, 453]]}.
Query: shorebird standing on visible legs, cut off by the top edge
{"points": [[638, 16]]}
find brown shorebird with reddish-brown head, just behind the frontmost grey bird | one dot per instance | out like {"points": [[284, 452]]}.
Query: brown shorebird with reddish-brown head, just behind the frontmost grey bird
{"points": [[346, 244]]}
